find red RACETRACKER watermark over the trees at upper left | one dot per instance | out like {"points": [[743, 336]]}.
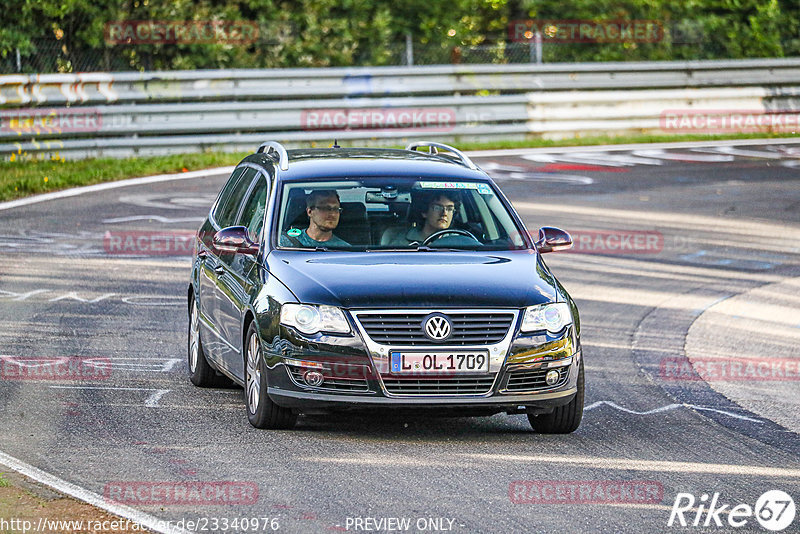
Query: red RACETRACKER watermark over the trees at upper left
{"points": [[136, 32]]}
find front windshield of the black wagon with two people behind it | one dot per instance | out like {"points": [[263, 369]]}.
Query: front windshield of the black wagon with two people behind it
{"points": [[394, 214]]}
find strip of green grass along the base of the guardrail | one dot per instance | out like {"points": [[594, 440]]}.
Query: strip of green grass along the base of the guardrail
{"points": [[23, 178]]}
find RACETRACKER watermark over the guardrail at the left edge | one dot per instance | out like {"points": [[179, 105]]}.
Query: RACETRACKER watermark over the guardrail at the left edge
{"points": [[50, 120]]}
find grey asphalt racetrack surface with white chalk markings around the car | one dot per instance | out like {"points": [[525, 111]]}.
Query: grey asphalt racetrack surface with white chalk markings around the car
{"points": [[681, 255]]}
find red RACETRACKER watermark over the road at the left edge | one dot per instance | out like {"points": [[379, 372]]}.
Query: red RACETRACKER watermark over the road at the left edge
{"points": [[59, 368]]}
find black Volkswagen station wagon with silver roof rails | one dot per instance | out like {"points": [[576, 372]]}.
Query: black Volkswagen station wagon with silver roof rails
{"points": [[336, 279]]}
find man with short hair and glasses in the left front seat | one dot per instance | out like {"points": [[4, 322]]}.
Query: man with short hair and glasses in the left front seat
{"points": [[323, 209]]}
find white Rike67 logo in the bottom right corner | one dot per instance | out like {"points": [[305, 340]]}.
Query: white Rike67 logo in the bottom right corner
{"points": [[774, 511]]}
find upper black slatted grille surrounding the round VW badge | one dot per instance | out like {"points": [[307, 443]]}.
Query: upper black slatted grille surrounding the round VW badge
{"points": [[469, 328]]}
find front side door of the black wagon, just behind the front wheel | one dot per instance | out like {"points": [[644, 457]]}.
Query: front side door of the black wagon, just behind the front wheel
{"points": [[233, 284]]}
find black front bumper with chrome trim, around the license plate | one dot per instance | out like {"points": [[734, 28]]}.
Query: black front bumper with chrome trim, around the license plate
{"points": [[356, 373]]}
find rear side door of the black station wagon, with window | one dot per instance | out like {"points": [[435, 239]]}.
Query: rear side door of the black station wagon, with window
{"points": [[222, 215]]}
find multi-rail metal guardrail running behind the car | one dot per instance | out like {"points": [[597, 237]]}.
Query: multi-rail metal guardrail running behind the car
{"points": [[129, 114]]}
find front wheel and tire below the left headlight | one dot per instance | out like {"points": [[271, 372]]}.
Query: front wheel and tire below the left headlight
{"points": [[261, 411]]}
